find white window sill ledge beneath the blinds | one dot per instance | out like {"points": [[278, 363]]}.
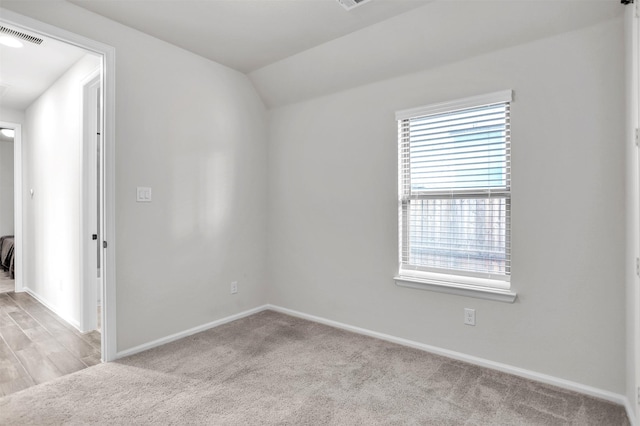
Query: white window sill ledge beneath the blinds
{"points": [[479, 292]]}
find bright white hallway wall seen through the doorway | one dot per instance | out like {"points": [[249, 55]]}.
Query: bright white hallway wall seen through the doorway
{"points": [[52, 162]]}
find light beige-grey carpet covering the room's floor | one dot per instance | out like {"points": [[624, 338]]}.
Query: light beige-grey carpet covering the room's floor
{"points": [[270, 368]]}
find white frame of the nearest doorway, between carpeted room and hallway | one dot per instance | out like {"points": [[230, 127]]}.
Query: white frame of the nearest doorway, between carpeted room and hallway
{"points": [[107, 53]]}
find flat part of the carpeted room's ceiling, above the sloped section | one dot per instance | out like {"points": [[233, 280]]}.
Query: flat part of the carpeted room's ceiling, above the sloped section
{"points": [[247, 34]]}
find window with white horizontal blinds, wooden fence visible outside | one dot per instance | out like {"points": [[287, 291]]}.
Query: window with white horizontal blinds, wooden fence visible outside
{"points": [[455, 194]]}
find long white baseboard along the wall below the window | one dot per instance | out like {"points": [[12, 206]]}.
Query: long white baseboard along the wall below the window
{"points": [[517, 371]]}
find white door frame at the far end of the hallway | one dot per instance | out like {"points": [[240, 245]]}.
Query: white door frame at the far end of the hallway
{"points": [[17, 201]]}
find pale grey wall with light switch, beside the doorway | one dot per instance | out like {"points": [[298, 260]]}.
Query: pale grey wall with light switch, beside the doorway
{"points": [[194, 131]]}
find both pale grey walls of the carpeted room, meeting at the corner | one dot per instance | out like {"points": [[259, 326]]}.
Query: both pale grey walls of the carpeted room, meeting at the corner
{"points": [[195, 132]]}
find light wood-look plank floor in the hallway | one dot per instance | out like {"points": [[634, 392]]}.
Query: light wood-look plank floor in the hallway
{"points": [[37, 346]]}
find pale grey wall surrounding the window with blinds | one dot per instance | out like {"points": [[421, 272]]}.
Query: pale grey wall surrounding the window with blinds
{"points": [[333, 209]]}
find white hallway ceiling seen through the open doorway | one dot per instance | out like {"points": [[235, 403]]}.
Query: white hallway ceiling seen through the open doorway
{"points": [[28, 71]]}
